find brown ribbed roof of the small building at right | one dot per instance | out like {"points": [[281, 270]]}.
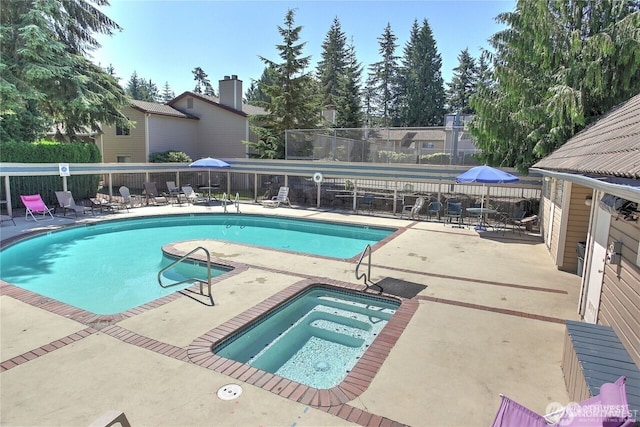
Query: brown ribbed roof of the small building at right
{"points": [[609, 147]]}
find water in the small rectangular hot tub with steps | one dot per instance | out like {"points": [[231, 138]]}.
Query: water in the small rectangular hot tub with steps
{"points": [[315, 339]]}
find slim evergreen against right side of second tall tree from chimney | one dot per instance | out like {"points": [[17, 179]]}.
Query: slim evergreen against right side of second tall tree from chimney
{"points": [[347, 98]]}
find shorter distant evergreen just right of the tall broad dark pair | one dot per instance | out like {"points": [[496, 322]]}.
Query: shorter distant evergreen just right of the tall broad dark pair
{"points": [[463, 84]]}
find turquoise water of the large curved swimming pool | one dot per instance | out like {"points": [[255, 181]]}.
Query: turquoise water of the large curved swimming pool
{"points": [[112, 266]]}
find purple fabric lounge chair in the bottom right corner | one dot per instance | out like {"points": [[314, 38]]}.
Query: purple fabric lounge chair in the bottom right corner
{"points": [[610, 407]]}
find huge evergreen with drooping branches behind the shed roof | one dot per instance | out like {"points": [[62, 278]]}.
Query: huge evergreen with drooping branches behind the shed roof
{"points": [[557, 67]]}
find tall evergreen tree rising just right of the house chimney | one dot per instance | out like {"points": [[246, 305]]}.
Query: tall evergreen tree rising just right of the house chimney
{"points": [[293, 104]]}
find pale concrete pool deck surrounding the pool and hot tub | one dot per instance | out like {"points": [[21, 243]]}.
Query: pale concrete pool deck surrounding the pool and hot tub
{"points": [[490, 321]]}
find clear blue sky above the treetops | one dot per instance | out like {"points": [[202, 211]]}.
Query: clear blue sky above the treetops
{"points": [[165, 40]]}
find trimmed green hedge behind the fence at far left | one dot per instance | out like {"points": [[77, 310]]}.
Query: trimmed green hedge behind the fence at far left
{"points": [[82, 186]]}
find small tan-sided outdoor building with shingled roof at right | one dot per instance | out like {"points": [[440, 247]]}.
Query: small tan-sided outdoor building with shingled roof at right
{"points": [[590, 218]]}
